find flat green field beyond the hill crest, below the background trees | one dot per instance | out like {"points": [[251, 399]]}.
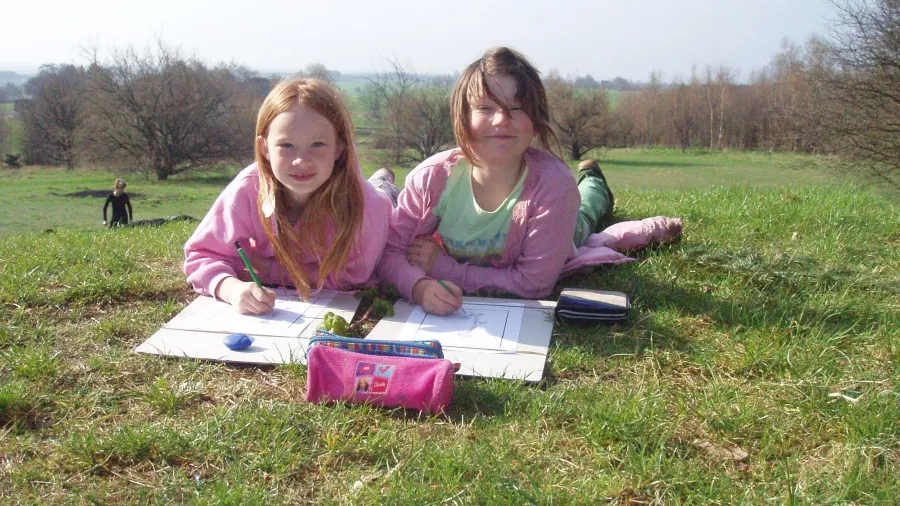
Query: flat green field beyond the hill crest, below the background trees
{"points": [[39, 198]]}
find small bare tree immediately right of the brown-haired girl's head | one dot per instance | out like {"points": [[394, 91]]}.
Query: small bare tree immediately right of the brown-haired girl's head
{"points": [[581, 118]]}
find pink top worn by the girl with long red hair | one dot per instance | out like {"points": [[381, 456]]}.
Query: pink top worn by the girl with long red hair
{"points": [[210, 255]]}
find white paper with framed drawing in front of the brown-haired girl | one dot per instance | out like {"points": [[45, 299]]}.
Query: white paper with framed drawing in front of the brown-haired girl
{"points": [[476, 326]]}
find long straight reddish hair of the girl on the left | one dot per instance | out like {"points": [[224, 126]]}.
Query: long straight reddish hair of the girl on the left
{"points": [[338, 200]]}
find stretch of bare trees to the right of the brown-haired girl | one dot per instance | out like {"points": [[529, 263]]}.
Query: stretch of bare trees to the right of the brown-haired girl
{"points": [[835, 94]]}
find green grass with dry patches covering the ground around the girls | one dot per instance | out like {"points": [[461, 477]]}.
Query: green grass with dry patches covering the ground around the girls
{"points": [[759, 365]]}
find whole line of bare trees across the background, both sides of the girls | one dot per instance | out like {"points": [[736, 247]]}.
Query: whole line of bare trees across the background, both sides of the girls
{"points": [[165, 114]]}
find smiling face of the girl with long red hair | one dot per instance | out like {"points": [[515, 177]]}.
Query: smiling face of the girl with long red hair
{"points": [[302, 147]]}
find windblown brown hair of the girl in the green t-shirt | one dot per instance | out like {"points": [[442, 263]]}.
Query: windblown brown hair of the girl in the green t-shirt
{"points": [[530, 93]]}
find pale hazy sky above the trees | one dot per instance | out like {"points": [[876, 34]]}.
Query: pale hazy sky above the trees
{"points": [[627, 38]]}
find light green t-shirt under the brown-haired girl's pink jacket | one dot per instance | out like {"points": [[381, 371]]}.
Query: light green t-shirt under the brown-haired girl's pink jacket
{"points": [[469, 233]]}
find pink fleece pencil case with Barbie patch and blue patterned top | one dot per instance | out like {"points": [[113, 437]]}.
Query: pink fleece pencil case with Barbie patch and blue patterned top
{"points": [[377, 377]]}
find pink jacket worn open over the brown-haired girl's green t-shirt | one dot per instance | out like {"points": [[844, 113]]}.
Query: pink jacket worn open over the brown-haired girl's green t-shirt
{"points": [[537, 246]]}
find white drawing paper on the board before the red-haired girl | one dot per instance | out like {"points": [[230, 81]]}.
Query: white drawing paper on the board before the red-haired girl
{"points": [[289, 318]]}
